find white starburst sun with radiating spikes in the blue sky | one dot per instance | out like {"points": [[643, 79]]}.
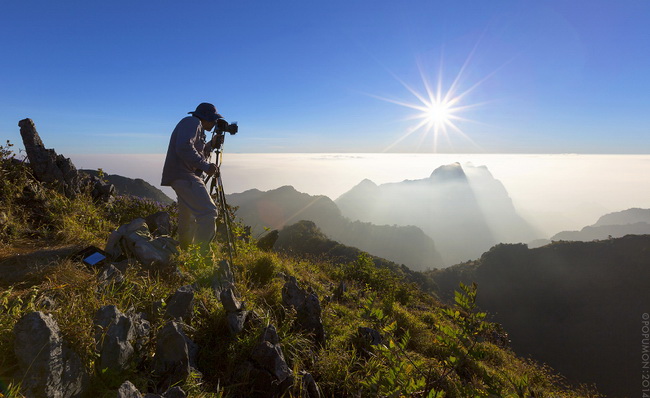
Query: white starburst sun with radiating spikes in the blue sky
{"points": [[440, 109]]}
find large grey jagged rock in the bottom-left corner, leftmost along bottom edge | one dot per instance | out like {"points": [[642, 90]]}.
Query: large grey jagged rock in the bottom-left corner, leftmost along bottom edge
{"points": [[49, 368]]}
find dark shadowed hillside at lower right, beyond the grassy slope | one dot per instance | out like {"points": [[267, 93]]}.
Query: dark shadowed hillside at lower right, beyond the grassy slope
{"points": [[577, 306]]}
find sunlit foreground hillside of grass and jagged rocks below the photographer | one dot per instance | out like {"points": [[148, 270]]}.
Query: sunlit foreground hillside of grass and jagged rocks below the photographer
{"points": [[268, 325]]}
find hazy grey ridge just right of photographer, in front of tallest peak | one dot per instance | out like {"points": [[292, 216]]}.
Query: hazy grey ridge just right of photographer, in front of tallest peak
{"points": [[283, 206]]}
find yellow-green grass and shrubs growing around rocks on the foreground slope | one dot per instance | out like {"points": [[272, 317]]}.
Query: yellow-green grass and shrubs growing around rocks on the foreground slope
{"points": [[427, 349]]}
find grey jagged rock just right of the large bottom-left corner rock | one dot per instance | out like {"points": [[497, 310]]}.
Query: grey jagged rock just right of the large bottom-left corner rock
{"points": [[114, 332]]}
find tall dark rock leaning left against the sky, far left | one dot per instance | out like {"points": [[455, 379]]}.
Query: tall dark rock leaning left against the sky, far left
{"points": [[47, 165]]}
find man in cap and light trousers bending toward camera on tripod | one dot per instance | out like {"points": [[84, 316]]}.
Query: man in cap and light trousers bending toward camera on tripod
{"points": [[186, 161]]}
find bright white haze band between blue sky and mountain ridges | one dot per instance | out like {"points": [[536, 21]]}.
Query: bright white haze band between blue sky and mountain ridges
{"points": [[553, 192]]}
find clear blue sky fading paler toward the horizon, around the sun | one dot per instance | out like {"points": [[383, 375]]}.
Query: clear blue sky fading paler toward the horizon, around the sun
{"points": [[304, 76]]}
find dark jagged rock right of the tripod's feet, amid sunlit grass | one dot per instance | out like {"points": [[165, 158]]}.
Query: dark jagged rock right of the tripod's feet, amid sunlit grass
{"points": [[307, 307]]}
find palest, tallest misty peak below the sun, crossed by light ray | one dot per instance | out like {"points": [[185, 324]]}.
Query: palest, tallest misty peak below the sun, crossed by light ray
{"points": [[464, 209]]}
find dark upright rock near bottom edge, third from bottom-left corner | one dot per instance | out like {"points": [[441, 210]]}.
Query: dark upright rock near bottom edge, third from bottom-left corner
{"points": [[171, 363]]}
